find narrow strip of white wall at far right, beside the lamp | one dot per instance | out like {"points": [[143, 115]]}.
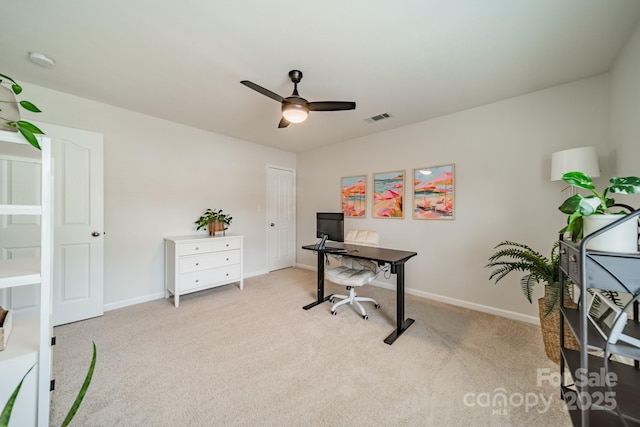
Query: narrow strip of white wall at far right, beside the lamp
{"points": [[625, 110]]}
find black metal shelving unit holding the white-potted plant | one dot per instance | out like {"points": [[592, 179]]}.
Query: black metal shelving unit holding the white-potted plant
{"points": [[603, 392]]}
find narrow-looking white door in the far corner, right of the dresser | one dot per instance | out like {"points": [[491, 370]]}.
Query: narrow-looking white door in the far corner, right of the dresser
{"points": [[281, 217]]}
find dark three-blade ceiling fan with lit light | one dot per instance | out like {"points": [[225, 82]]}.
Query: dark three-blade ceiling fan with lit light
{"points": [[295, 109]]}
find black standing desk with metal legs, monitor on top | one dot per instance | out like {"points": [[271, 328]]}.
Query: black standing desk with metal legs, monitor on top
{"points": [[396, 259]]}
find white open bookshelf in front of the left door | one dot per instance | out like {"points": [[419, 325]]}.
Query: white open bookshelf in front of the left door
{"points": [[29, 343]]}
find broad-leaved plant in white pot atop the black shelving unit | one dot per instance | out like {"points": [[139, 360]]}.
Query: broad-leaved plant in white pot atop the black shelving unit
{"points": [[588, 214]]}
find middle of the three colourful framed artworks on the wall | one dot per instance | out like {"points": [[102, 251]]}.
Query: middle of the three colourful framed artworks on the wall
{"points": [[388, 195]]}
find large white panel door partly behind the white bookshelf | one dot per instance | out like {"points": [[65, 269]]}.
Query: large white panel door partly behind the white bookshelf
{"points": [[77, 289]]}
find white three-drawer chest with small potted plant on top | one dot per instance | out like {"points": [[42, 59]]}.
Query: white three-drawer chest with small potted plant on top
{"points": [[195, 263]]}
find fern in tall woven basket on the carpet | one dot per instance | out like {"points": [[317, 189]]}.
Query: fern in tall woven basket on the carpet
{"points": [[511, 256]]}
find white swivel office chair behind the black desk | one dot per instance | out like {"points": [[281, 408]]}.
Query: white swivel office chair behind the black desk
{"points": [[354, 272]]}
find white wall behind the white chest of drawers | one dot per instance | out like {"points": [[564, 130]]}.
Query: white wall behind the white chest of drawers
{"points": [[159, 177]]}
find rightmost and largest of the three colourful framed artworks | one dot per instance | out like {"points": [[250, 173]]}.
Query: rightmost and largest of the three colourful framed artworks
{"points": [[433, 192]]}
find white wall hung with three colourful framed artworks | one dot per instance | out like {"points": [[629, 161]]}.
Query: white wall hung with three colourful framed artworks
{"points": [[503, 190]]}
